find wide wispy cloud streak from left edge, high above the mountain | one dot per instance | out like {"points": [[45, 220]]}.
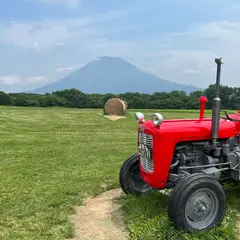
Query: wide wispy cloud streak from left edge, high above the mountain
{"points": [[47, 34]]}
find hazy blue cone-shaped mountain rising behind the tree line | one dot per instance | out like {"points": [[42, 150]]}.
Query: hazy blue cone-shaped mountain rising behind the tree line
{"points": [[113, 75]]}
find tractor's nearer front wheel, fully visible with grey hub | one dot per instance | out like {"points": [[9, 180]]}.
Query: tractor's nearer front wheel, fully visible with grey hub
{"points": [[197, 203]]}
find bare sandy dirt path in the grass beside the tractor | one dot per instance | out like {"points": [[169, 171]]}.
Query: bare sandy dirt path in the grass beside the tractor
{"points": [[100, 218]]}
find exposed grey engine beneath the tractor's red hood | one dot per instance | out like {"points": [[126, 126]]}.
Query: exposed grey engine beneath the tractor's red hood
{"points": [[197, 157]]}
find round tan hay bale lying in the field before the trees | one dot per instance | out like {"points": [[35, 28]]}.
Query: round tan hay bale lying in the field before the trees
{"points": [[115, 106]]}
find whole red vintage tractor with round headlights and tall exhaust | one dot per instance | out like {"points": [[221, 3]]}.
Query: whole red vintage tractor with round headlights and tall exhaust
{"points": [[193, 157]]}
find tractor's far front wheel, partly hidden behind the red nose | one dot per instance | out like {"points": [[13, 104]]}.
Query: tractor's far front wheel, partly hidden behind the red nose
{"points": [[130, 178]]}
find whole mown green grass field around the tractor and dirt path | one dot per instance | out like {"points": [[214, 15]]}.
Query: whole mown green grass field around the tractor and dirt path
{"points": [[52, 158]]}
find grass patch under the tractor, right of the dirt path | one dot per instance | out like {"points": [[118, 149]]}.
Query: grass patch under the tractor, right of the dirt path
{"points": [[147, 218]]}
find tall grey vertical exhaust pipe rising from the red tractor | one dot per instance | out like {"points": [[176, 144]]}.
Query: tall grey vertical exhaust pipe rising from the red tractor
{"points": [[216, 105]]}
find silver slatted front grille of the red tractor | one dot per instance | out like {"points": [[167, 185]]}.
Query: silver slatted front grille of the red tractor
{"points": [[146, 151]]}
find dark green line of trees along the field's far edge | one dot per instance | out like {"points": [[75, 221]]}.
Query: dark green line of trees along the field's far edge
{"points": [[72, 98]]}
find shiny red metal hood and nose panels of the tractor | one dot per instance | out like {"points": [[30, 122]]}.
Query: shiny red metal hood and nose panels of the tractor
{"points": [[171, 132]]}
